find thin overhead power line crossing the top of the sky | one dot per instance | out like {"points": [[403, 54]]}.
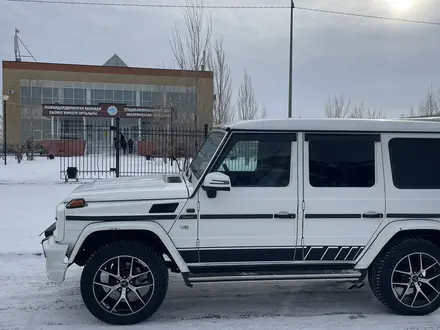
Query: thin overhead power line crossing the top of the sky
{"points": [[114, 4]]}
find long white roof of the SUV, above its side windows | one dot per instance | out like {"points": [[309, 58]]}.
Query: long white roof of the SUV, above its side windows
{"points": [[336, 124]]}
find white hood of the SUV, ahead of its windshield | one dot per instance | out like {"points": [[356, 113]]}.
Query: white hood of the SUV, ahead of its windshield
{"points": [[132, 188]]}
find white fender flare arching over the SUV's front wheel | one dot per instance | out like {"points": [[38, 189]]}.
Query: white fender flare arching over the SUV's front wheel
{"points": [[141, 226]]}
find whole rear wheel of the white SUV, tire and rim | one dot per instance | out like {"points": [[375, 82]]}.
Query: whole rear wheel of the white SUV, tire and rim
{"points": [[406, 278]]}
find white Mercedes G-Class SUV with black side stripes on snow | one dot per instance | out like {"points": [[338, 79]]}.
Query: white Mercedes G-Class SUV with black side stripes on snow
{"points": [[288, 199]]}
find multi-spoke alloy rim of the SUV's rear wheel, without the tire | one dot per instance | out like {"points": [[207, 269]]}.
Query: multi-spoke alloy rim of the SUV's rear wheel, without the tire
{"points": [[415, 280]]}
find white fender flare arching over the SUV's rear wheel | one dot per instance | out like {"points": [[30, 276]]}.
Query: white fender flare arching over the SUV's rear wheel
{"points": [[387, 233]]}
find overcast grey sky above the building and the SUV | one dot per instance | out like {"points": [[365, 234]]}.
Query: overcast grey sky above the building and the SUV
{"points": [[385, 64]]}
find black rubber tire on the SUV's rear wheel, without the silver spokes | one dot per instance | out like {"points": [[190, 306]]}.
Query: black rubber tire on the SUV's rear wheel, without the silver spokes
{"points": [[382, 275]]}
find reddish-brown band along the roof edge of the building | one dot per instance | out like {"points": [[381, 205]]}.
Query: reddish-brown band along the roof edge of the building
{"points": [[31, 66]]}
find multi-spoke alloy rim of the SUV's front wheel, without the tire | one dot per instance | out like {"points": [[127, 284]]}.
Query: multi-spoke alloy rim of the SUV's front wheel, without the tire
{"points": [[123, 285]]}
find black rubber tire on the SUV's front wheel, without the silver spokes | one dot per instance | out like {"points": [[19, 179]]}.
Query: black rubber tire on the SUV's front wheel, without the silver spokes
{"points": [[143, 253]]}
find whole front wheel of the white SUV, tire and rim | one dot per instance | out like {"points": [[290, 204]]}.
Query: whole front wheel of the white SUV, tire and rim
{"points": [[124, 283]]}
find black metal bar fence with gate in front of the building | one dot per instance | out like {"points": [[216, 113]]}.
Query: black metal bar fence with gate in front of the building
{"points": [[104, 151]]}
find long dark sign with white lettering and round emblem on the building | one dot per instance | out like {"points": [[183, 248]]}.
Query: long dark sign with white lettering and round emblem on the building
{"points": [[104, 110]]}
